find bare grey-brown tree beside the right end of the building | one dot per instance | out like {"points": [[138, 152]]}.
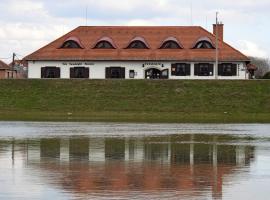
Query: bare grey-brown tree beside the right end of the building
{"points": [[263, 65]]}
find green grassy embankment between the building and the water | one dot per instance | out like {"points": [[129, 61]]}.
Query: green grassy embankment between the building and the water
{"points": [[136, 101]]}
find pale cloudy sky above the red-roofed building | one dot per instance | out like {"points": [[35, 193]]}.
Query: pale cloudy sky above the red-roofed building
{"points": [[27, 25]]}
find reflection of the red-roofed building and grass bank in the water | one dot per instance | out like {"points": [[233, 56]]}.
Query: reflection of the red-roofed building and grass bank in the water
{"points": [[181, 162]]}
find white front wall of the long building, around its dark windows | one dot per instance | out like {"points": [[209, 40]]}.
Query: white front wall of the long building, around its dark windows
{"points": [[97, 69]]}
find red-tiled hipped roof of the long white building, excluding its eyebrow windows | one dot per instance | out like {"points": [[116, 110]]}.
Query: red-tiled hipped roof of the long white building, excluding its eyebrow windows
{"points": [[123, 35]]}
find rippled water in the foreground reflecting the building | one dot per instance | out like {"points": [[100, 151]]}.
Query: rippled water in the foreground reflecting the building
{"points": [[134, 161]]}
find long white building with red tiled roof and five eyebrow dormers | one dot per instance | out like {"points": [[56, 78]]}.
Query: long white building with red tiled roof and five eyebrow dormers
{"points": [[150, 52]]}
